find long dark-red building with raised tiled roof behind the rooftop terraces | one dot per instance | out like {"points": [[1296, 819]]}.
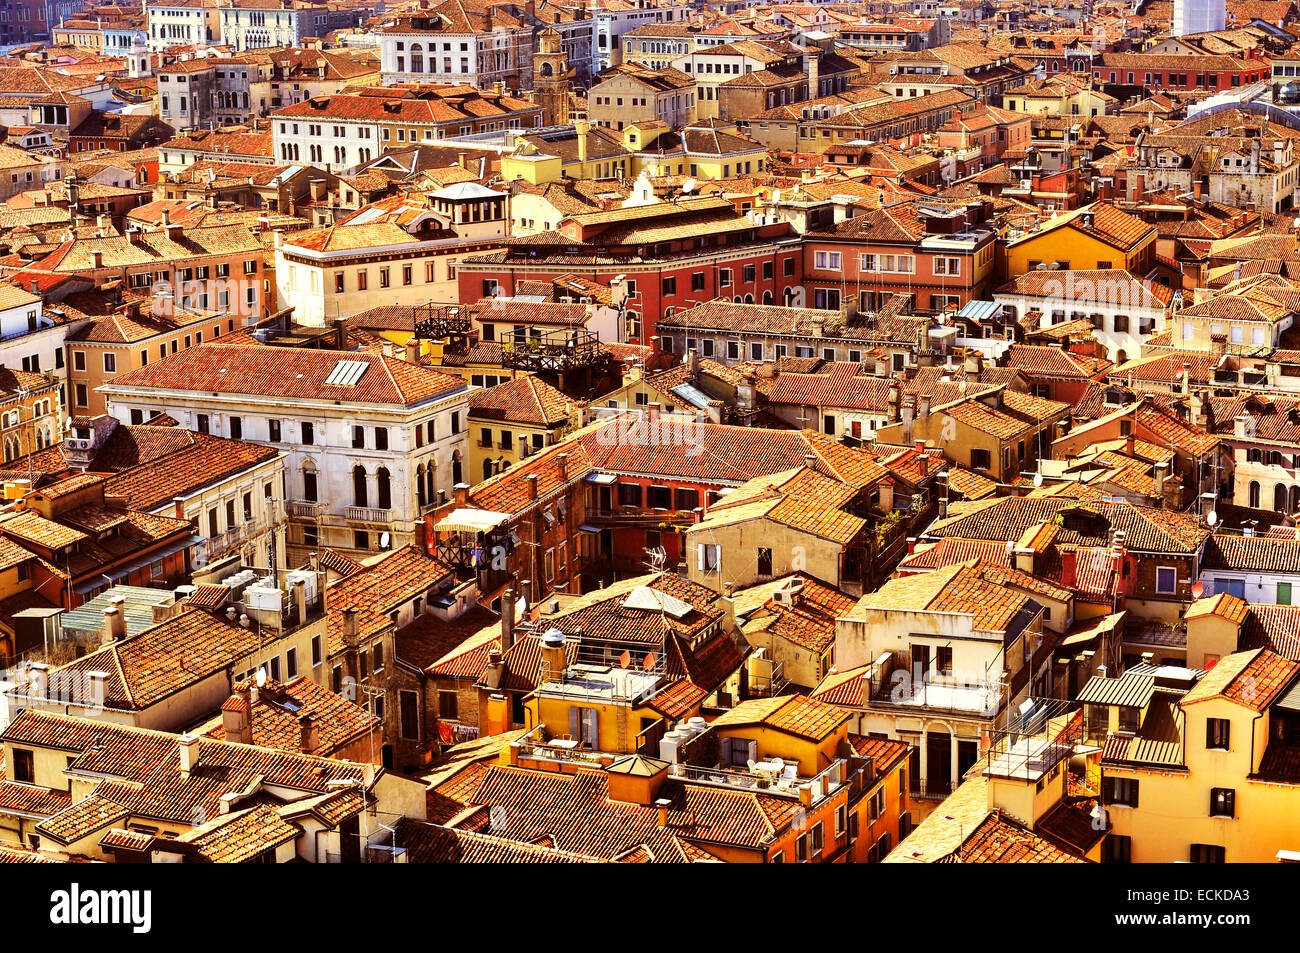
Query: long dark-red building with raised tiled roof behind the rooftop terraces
{"points": [[673, 257]]}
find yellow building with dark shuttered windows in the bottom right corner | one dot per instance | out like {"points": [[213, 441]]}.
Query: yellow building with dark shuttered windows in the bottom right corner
{"points": [[1201, 766]]}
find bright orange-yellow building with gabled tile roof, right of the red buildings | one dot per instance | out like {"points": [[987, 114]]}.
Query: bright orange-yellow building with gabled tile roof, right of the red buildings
{"points": [[1093, 237]]}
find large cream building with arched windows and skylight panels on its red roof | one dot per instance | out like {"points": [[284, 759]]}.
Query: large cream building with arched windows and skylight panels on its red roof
{"points": [[374, 443]]}
